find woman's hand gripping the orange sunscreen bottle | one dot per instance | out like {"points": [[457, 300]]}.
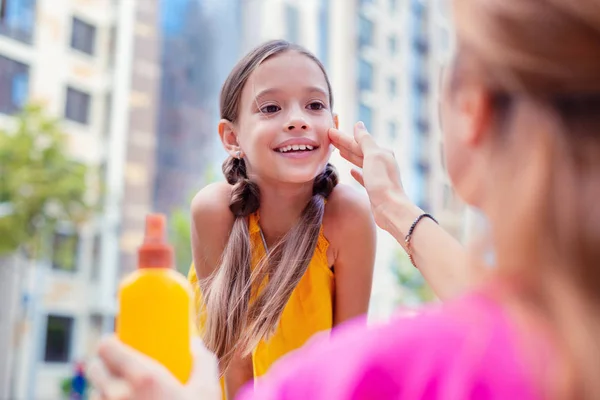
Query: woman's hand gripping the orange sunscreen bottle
{"points": [[121, 373]]}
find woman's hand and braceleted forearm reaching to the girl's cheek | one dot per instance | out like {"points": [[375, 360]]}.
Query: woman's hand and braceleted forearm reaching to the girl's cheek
{"points": [[440, 258]]}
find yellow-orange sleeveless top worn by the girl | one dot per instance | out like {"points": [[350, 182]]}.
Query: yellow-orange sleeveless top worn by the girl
{"points": [[308, 311]]}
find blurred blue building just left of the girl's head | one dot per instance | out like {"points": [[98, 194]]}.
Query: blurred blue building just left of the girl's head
{"points": [[201, 41]]}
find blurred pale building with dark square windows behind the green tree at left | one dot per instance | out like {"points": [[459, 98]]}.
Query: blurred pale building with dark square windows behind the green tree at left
{"points": [[94, 65]]}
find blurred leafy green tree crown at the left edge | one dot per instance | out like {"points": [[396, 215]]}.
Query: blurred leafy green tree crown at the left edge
{"points": [[40, 185]]}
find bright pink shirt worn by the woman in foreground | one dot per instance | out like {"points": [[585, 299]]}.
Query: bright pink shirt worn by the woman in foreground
{"points": [[466, 349]]}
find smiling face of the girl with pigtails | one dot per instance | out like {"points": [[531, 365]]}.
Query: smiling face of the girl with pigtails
{"points": [[284, 117]]}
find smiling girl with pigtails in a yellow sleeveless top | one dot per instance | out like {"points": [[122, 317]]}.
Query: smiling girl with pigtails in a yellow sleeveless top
{"points": [[281, 250]]}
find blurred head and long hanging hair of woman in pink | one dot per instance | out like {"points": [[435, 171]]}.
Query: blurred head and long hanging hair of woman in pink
{"points": [[521, 118]]}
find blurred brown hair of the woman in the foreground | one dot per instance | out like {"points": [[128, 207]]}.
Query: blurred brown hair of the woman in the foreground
{"points": [[543, 57]]}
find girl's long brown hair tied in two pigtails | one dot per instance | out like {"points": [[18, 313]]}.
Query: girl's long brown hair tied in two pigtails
{"points": [[233, 321]]}
